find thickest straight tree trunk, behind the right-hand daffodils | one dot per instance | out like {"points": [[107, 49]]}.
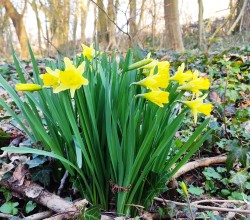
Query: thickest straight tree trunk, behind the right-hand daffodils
{"points": [[172, 26]]}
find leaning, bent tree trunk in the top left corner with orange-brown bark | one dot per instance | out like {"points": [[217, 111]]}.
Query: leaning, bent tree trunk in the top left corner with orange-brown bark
{"points": [[18, 23]]}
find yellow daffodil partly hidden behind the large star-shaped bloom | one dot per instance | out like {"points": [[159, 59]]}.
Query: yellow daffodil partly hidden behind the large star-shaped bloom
{"points": [[50, 78]]}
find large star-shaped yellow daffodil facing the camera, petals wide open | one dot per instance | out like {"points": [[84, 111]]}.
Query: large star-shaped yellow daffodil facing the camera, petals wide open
{"points": [[71, 78]]}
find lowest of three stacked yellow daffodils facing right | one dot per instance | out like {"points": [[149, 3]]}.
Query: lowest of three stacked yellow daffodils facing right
{"points": [[157, 97]]}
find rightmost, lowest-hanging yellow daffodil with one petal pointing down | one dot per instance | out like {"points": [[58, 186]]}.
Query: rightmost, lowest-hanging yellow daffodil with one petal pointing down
{"points": [[197, 106]]}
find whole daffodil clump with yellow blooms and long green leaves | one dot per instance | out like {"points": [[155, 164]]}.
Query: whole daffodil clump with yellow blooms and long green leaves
{"points": [[111, 124]]}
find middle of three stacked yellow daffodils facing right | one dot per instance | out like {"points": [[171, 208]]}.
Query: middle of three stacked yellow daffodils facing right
{"points": [[154, 82]]}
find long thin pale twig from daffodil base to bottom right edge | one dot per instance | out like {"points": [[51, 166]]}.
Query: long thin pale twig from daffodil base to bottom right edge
{"points": [[204, 207]]}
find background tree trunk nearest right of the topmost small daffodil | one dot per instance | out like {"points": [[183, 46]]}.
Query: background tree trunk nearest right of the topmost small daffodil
{"points": [[102, 27]]}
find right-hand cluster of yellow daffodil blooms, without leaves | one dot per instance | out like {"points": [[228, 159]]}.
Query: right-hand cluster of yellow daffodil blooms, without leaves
{"points": [[188, 81]]}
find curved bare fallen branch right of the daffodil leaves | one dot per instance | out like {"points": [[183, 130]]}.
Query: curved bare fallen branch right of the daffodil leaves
{"points": [[199, 163]]}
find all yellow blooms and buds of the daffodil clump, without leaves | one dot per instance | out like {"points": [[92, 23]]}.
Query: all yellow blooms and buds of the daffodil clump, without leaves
{"points": [[157, 81]]}
